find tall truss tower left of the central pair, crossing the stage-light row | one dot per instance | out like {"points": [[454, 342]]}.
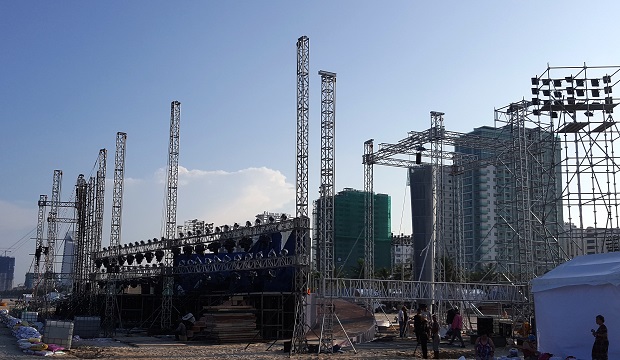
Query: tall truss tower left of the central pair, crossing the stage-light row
{"points": [[171, 210]]}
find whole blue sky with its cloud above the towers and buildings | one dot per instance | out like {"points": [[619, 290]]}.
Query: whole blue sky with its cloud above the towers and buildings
{"points": [[74, 73]]}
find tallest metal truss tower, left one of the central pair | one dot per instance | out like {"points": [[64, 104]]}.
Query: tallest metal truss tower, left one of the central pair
{"points": [[299, 343]]}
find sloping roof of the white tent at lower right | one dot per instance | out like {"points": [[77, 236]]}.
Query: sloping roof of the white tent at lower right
{"points": [[598, 269]]}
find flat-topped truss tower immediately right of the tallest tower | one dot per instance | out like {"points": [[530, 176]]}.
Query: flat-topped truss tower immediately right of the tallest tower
{"points": [[326, 213]]}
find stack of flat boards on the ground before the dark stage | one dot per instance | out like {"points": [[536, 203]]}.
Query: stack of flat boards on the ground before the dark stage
{"points": [[227, 326]]}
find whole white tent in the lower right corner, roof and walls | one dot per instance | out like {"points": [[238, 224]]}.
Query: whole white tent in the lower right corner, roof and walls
{"points": [[567, 300]]}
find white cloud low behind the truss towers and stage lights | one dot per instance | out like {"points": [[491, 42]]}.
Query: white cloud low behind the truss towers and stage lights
{"points": [[218, 196]]}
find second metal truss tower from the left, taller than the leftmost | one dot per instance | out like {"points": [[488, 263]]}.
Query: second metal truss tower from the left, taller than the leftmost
{"points": [[52, 234]]}
